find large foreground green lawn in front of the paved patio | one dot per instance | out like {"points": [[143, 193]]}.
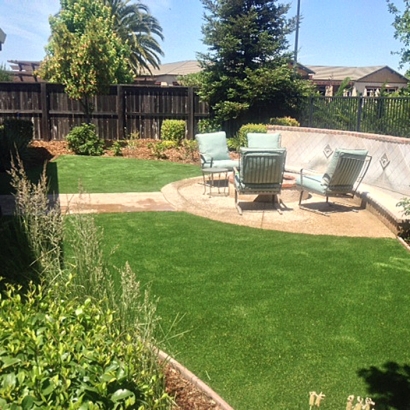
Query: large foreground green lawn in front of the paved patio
{"points": [[271, 316]]}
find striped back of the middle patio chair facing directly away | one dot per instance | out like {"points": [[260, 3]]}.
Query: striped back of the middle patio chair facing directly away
{"points": [[262, 167]]}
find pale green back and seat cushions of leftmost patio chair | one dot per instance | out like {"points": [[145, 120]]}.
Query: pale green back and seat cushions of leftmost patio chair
{"points": [[213, 150]]}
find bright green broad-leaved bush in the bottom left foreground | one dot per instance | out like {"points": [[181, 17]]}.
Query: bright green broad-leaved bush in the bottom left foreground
{"points": [[66, 354]]}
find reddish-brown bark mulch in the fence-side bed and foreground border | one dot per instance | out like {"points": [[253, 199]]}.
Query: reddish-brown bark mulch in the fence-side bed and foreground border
{"points": [[186, 395]]}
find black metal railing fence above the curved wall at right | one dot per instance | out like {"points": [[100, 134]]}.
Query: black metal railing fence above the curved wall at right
{"points": [[378, 115]]}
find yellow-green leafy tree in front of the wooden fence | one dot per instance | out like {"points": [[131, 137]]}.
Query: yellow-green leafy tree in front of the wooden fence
{"points": [[84, 53]]}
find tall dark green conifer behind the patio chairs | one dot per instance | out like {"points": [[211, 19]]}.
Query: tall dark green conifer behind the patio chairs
{"points": [[247, 72]]}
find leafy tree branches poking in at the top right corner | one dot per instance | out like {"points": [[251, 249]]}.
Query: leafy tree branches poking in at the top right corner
{"points": [[401, 25]]}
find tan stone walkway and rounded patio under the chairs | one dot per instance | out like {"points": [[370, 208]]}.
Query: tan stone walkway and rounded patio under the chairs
{"points": [[345, 218]]}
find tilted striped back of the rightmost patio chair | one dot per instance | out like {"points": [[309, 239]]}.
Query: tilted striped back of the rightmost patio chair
{"points": [[346, 168]]}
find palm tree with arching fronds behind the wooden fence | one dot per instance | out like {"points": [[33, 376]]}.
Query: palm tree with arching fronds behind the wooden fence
{"points": [[136, 26]]}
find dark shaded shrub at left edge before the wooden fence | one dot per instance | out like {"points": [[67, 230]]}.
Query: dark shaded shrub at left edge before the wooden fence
{"points": [[15, 137]]}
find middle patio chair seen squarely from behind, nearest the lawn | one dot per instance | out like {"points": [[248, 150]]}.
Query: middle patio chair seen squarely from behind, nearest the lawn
{"points": [[260, 173]]}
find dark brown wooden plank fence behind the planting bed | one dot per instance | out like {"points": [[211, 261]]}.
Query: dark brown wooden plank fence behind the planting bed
{"points": [[125, 110]]}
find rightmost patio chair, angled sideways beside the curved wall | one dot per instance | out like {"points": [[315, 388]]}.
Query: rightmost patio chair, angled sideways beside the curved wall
{"points": [[345, 172]]}
